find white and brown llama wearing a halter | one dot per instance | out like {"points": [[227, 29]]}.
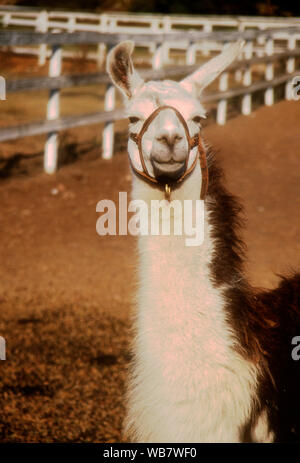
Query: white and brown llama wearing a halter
{"points": [[211, 355]]}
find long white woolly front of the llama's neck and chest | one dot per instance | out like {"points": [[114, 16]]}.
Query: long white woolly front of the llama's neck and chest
{"points": [[191, 378]]}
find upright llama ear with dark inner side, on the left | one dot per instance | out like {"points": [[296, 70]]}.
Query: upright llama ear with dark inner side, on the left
{"points": [[120, 68]]}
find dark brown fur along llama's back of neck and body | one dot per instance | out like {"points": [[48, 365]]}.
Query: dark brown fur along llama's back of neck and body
{"points": [[264, 322]]}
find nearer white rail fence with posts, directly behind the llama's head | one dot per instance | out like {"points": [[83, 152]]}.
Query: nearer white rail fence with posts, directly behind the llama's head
{"points": [[253, 72]]}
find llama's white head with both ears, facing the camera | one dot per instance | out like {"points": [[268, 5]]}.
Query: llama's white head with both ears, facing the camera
{"points": [[164, 144]]}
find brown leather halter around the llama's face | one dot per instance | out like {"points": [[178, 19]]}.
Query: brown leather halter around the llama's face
{"points": [[192, 143]]}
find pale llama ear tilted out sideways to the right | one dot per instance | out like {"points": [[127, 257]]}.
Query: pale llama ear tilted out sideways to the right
{"points": [[201, 78]]}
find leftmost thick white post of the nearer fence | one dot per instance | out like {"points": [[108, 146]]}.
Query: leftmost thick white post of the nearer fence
{"points": [[51, 145]]}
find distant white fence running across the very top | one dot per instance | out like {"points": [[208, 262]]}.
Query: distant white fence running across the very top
{"points": [[136, 22]]}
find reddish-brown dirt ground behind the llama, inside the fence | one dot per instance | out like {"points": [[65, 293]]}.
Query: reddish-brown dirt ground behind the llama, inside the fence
{"points": [[66, 293]]}
